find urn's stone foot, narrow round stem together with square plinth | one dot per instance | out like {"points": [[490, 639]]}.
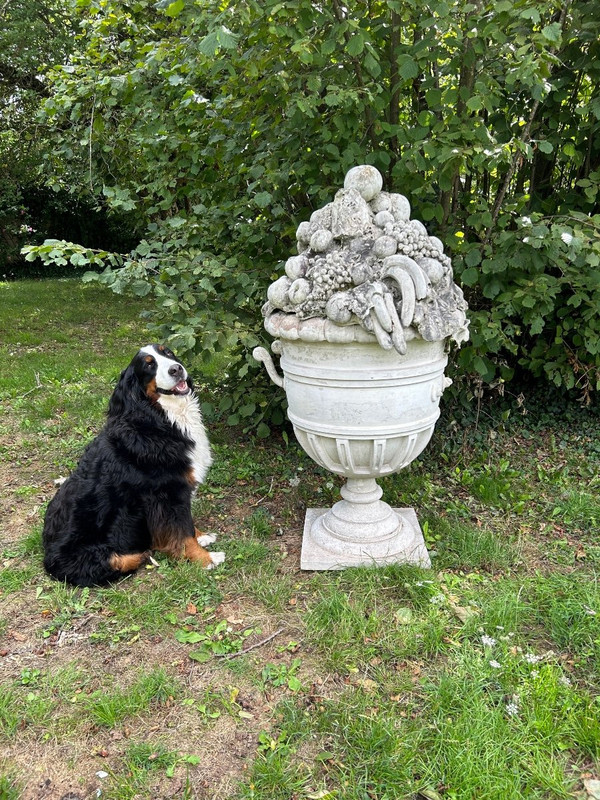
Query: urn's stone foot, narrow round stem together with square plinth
{"points": [[361, 530]]}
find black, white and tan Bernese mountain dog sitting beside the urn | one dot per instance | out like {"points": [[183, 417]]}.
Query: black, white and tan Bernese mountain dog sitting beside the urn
{"points": [[131, 492]]}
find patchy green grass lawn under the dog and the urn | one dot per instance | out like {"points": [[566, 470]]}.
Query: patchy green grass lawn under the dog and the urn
{"points": [[476, 680]]}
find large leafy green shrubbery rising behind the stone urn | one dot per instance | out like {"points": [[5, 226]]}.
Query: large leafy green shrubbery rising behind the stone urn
{"points": [[218, 127]]}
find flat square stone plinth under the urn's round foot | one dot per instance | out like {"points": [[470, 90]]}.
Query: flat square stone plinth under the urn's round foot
{"points": [[407, 547]]}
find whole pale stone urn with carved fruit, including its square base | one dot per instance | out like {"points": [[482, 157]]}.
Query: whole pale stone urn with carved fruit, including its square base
{"points": [[362, 320]]}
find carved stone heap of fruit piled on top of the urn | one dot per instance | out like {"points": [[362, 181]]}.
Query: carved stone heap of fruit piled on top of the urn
{"points": [[345, 251]]}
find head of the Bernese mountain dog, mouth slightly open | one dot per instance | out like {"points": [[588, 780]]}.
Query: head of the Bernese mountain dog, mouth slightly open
{"points": [[153, 372]]}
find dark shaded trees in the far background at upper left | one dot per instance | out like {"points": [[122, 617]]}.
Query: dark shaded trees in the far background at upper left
{"points": [[35, 34]]}
